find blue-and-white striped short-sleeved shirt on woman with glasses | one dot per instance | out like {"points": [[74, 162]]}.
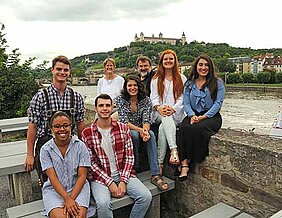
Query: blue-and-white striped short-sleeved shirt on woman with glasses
{"points": [[66, 168]]}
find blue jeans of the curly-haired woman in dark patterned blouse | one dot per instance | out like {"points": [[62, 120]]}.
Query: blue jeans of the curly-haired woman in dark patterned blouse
{"points": [[152, 151]]}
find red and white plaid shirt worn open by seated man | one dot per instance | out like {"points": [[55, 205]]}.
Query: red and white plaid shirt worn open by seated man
{"points": [[123, 150]]}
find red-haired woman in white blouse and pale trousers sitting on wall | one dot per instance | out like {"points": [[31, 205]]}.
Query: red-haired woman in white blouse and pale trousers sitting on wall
{"points": [[167, 99]]}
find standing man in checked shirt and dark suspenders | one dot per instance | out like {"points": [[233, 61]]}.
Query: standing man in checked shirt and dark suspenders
{"points": [[57, 96]]}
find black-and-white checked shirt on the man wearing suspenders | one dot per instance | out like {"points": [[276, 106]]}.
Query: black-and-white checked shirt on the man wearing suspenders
{"points": [[38, 107]]}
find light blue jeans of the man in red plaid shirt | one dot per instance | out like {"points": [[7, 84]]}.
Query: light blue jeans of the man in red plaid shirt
{"points": [[135, 189]]}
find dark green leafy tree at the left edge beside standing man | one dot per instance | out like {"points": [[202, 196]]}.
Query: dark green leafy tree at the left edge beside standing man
{"points": [[16, 81]]}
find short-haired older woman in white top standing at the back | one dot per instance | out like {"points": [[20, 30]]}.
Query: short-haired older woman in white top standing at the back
{"points": [[111, 83]]}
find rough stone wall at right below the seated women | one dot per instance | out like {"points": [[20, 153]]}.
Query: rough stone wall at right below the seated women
{"points": [[243, 170]]}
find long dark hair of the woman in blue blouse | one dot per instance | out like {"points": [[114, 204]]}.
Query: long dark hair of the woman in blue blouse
{"points": [[211, 78]]}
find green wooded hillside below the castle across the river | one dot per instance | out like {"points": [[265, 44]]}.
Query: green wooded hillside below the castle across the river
{"points": [[220, 52]]}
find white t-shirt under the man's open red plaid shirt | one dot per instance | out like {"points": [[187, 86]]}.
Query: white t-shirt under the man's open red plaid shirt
{"points": [[107, 145]]}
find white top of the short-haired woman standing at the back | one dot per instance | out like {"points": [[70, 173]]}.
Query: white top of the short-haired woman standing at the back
{"points": [[111, 87]]}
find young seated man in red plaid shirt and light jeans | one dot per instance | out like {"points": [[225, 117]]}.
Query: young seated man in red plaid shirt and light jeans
{"points": [[112, 159]]}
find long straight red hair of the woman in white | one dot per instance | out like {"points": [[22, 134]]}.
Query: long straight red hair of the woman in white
{"points": [[160, 74]]}
